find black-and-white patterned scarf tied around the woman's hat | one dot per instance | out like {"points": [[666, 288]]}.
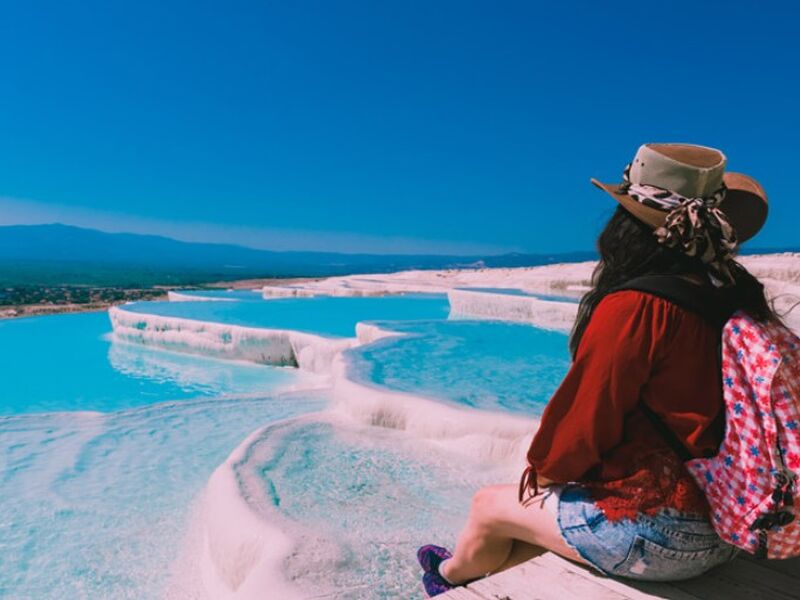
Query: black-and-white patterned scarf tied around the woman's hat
{"points": [[695, 226]]}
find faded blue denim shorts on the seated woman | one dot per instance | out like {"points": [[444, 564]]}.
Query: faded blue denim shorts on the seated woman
{"points": [[667, 546]]}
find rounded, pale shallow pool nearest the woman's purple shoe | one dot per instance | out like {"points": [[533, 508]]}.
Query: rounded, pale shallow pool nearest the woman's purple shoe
{"points": [[359, 501]]}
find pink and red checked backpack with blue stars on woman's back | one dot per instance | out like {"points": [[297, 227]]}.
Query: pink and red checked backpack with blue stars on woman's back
{"points": [[761, 384]]}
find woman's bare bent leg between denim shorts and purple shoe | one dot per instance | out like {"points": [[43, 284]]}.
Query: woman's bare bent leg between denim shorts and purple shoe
{"points": [[495, 522]]}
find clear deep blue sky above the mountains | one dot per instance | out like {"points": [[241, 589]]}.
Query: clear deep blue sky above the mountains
{"points": [[408, 126]]}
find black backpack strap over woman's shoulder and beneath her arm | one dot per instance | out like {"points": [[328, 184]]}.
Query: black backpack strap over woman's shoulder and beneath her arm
{"points": [[701, 300]]}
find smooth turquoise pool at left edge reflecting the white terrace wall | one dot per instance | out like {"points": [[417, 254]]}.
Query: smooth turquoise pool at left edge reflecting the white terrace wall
{"points": [[68, 363]]}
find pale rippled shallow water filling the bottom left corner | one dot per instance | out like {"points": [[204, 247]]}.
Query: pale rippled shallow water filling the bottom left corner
{"points": [[96, 506]]}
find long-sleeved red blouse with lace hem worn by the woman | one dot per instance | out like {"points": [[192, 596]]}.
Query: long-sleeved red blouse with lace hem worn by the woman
{"points": [[636, 348]]}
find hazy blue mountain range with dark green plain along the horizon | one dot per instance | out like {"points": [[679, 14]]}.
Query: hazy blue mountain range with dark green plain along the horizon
{"points": [[63, 254]]}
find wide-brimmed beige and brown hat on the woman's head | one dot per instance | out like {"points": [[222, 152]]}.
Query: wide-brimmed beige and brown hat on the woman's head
{"points": [[664, 176]]}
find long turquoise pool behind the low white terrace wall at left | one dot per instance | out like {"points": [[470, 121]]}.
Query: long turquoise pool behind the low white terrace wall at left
{"points": [[324, 315]]}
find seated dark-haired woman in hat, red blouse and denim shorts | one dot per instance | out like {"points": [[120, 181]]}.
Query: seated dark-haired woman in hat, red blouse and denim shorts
{"points": [[604, 486]]}
